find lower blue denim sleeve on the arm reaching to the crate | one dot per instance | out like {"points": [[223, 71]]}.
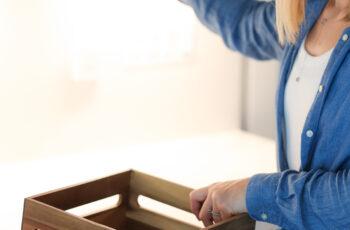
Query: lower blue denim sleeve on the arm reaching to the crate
{"points": [[307, 200]]}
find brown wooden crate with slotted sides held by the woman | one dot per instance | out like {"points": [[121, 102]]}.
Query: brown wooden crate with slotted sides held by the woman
{"points": [[49, 211]]}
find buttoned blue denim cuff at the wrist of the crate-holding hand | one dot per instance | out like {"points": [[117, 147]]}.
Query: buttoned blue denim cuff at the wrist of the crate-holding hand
{"points": [[261, 198]]}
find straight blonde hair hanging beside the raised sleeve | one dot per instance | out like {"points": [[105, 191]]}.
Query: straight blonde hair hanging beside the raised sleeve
{"points": [[290, 14]]}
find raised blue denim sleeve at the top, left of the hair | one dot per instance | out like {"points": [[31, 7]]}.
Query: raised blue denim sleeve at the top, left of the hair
{"points": [[247, 26]]}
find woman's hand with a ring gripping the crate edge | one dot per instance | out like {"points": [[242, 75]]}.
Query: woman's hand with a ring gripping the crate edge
{"points": [[219, 201]]}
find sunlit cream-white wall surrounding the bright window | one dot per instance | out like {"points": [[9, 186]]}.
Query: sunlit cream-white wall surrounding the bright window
{"points": [[44, 111]]}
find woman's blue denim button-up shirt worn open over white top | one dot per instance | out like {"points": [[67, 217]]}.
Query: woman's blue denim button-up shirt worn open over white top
{"points": [[317, 196]]}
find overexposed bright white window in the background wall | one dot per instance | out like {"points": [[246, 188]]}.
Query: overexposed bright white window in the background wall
{"points": [[105, 33]]}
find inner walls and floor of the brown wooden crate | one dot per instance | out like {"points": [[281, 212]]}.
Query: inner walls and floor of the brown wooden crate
{"points": [[126, 214]]}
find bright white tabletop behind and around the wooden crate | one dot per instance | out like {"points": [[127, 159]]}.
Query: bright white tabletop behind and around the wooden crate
{"points": [[193, 162]]}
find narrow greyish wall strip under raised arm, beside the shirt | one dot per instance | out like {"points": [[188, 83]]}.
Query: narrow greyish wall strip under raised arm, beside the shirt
{"points": [[259, 93]]}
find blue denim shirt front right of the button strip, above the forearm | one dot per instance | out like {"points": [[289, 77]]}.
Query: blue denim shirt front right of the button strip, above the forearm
{"points": [[332, 145]]}
